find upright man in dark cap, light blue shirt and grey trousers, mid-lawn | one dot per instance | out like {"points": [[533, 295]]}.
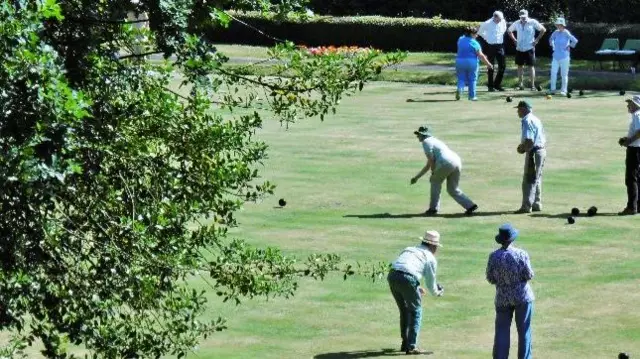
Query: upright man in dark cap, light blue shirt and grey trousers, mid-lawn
{"points": [[532, 144]]}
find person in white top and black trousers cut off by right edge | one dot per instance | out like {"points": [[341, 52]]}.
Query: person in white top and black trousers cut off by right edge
{"points": [[632, 162]]}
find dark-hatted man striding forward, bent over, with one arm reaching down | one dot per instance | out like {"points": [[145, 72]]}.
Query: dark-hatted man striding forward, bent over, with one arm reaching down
{"points": [[444, 165]]}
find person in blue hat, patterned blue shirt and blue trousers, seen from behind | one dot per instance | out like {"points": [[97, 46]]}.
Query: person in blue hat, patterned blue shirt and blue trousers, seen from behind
{"points": [[509, 269]]}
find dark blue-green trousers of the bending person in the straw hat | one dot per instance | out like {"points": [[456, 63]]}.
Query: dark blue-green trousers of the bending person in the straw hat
{"points": [[404, 288]]}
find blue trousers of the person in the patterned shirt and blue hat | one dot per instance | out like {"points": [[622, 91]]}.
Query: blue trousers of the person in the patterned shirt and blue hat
{"points": [[502, 339]]}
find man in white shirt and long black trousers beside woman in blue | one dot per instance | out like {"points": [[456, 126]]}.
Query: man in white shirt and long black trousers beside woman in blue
{"points": [[492, 31]]}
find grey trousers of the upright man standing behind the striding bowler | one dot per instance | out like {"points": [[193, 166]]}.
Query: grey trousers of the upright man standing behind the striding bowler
{"points": [[532, 179]]}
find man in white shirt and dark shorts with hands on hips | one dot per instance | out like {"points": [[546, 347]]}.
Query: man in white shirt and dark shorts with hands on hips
{"points": [[526, 45]]}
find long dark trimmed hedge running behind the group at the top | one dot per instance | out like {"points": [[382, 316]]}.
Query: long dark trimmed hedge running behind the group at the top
{"points": [[386, 33]]}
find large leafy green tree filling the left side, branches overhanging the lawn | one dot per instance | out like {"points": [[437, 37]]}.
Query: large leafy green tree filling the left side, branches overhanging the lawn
{"points": [[117, 187]]}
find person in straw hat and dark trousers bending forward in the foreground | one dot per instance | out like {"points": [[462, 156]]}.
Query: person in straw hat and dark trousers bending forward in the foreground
{"points": [[414, 264]]}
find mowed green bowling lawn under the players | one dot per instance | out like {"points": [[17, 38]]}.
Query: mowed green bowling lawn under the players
{"points": [[340, 174]]}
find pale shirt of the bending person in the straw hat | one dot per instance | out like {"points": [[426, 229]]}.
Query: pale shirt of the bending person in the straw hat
{"points": [[419, 262]]}
